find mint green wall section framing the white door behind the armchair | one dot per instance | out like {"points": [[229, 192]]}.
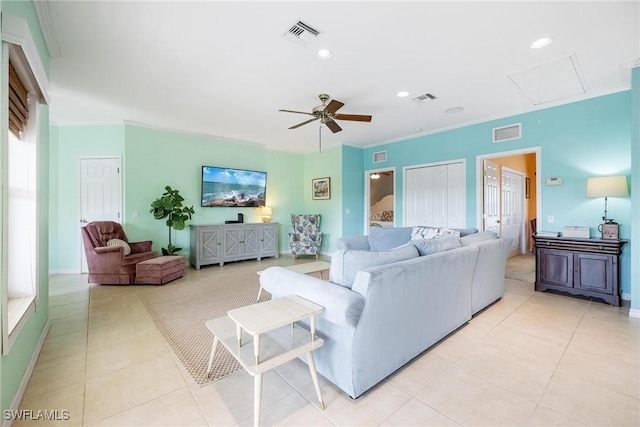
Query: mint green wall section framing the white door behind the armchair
{"points": [[71, 143]]}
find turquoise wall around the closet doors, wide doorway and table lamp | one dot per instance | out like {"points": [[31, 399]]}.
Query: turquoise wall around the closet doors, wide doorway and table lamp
{"points": [[577, 140]]}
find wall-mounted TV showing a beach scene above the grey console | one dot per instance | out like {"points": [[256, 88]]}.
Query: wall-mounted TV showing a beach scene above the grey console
{"points": [[228, 187]]}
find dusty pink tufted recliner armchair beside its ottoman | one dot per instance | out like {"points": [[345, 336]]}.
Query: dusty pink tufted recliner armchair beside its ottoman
{"points": [[108, 264]]}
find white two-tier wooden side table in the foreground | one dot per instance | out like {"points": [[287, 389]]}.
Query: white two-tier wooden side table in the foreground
{"points": [[274, 343]]}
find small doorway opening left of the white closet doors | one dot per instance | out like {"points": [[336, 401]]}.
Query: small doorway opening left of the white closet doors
{"points": [[380, 199]]}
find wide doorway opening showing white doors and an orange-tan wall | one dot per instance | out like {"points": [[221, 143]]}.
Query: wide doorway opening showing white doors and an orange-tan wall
{"points": [[507, 196]]}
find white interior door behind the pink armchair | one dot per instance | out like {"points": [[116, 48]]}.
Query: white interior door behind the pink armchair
{"points": [[100, 193]]}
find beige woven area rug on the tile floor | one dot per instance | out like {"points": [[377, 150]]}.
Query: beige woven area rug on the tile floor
{"points": [[181, 308]]}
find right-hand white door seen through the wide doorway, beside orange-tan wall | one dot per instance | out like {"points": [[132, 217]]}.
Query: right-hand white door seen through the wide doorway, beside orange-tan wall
{"points": [[512, 209]]}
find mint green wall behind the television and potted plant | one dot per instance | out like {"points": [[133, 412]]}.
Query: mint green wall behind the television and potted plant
{"points": [[156, 158]]}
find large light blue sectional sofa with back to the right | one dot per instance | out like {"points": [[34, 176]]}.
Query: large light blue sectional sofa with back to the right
{"points": [[383, 307]]}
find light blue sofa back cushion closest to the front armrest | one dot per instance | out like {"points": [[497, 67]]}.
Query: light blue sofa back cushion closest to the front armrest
{"points": [[346, 263]]}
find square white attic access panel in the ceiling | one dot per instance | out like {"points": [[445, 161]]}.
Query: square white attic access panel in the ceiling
{"points": [[552, 81]]}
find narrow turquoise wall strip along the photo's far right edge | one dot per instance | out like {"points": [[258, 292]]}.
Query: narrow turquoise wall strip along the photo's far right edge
{"points": [[635, 194]]}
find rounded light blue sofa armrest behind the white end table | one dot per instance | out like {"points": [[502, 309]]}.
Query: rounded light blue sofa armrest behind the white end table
{"points": [[341, 306]]}
